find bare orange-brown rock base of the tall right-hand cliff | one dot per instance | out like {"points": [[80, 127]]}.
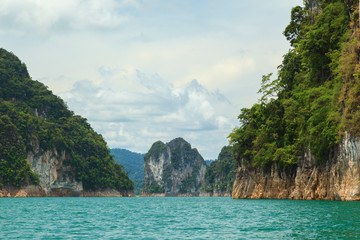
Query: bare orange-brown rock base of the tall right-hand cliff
{"points": [[337, 179]]}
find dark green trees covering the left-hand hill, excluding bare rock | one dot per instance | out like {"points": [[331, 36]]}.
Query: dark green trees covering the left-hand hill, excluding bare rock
{"points": [[34, 120]]}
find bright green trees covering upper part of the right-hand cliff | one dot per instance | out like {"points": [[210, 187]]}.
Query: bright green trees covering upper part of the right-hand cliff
{"points": [[315, 98]]}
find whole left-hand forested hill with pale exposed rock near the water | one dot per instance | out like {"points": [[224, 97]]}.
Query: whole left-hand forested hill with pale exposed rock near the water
{"points": [[46, 150]]}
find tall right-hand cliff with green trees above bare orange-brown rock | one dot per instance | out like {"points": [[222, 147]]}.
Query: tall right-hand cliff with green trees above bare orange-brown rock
{"points": [[302, 139]]}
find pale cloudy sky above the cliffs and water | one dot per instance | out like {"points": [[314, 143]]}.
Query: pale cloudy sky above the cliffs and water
{"points": [[147, 70]]}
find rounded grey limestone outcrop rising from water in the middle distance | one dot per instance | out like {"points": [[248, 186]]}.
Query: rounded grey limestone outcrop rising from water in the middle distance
{"points": [[173, 169]]}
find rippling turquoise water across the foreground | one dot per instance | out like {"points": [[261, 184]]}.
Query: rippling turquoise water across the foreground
{"points": [[176, 218]]}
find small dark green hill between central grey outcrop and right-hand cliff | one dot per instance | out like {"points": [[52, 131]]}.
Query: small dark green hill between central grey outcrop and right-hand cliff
{"points": [[220, 175]]}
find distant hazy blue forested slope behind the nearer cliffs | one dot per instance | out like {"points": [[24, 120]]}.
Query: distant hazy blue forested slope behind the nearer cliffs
{"points": [[134, 162]]}
